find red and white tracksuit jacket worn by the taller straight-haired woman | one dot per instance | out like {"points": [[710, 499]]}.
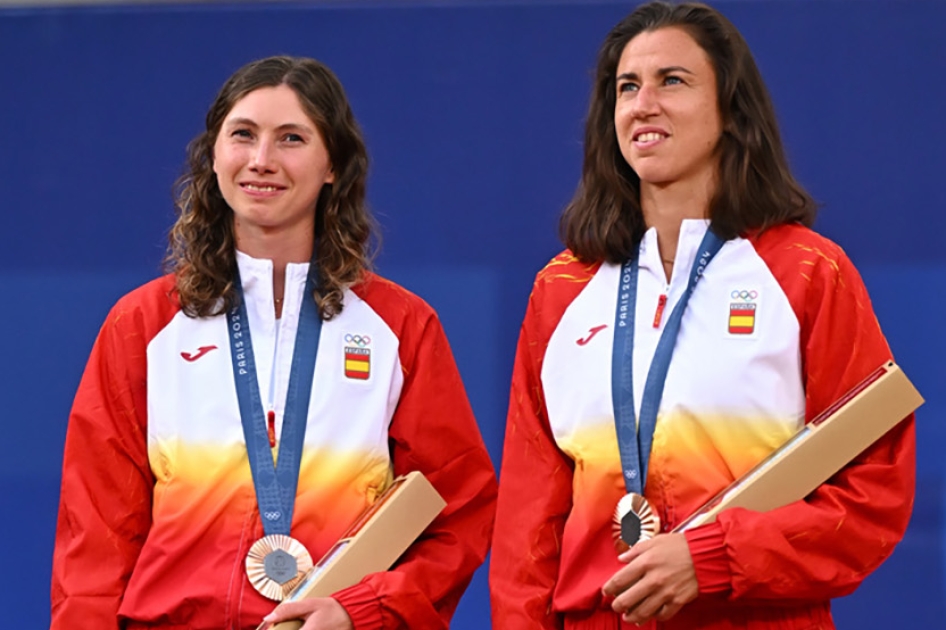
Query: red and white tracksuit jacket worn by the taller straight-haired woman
{"points": [[778, 328]]}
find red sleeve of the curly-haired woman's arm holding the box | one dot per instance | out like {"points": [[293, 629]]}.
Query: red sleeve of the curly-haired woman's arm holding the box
{"points": [[433, 431]]}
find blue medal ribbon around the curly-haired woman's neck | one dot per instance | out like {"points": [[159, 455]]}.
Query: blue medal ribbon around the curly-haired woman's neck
{"points": [[275, 485]]}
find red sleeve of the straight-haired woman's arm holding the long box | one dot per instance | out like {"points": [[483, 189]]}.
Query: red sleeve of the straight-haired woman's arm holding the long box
{"points": [[823, 546]]}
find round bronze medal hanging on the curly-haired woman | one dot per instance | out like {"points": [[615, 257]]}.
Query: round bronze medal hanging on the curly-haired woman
{"points": [[275, 564]]}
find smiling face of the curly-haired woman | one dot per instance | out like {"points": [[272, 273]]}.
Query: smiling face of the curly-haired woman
{"points": [[271, 164]]}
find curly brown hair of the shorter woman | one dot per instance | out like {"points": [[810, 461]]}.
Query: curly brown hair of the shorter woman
{"points": [[202, 245]]}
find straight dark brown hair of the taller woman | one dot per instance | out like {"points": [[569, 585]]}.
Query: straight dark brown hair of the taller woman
{"points": [[756, 190]]}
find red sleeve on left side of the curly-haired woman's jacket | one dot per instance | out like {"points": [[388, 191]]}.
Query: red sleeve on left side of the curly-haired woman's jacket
{"points": [[105, 501]]}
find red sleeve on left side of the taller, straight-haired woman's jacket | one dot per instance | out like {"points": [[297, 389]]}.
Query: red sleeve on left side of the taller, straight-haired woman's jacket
{"points": [[535, 495]]}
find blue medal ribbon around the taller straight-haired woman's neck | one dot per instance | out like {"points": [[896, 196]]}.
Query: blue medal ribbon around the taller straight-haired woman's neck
{"points": [[634, 442]]}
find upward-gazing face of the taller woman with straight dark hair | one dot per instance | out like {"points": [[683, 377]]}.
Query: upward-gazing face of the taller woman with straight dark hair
{"points": [[666, 113]]}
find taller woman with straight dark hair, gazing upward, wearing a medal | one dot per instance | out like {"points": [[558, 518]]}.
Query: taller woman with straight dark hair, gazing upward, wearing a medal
{"points": [[693, 325]]}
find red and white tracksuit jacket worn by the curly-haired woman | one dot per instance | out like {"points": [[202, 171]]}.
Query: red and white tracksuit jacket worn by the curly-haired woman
{"points": [[158, 508]]}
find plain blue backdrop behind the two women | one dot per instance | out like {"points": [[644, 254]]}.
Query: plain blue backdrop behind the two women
{"points": [[473, 117]]}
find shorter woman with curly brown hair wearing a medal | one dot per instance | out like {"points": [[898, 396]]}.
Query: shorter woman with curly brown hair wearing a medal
{"points": [[238, 414]]}
